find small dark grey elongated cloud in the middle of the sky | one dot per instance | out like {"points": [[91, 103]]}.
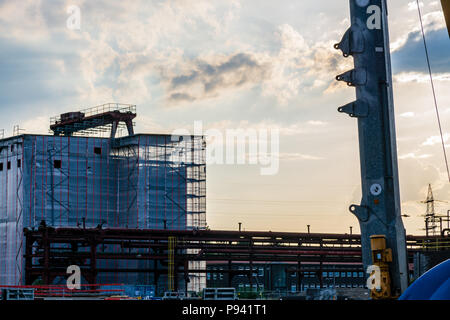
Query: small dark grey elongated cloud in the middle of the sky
{"points": [[235, 71]]}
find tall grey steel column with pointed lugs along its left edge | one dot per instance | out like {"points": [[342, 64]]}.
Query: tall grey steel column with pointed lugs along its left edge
{"points": [[367, 41]]}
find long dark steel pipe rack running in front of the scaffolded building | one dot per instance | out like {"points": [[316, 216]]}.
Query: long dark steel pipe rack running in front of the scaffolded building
{"points": [[50, 250]]}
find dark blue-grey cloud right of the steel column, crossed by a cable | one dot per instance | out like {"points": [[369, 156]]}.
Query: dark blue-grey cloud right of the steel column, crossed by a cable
{"points": [[411, 56]]}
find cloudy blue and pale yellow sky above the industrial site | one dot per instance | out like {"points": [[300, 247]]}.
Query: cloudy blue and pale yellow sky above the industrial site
{"points": [[237, 64]]}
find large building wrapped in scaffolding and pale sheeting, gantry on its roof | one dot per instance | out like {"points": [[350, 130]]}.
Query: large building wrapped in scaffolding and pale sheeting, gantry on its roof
{"points": [[74, 178]]}
